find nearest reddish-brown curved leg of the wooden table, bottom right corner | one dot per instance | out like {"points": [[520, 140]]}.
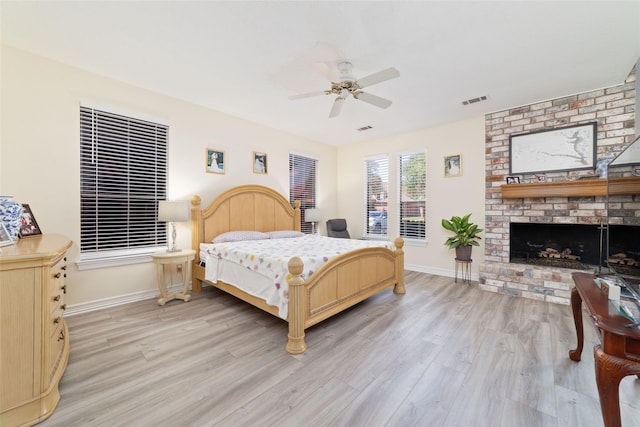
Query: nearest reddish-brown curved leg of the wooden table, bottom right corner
{"points": [[610, 370]]}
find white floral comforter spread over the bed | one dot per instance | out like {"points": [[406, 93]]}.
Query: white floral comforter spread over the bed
{"points": [[269, 258]]}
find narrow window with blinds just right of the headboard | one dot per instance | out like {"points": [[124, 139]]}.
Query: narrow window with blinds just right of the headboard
{"points": [[302, 185]]}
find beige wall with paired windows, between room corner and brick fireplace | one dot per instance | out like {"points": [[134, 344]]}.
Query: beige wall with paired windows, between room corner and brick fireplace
{"points": [[445, 196]]}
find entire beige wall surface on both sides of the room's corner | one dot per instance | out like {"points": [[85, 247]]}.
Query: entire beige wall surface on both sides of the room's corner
{"points": [[39, 159]]}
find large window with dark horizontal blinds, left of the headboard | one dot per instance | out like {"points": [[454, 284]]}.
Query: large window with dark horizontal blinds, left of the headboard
{"points": [[123, 174]]}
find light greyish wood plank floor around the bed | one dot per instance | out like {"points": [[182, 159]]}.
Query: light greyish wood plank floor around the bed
{"points": [[444, 354]]}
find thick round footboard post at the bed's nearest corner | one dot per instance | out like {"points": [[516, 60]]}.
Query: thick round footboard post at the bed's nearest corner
{"points": [[297, 308]]}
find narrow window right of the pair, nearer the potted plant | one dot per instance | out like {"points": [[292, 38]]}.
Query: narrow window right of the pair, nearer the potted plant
{"points": [[413, 183]]}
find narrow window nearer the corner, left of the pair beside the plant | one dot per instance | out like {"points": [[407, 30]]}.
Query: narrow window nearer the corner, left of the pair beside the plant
{"points": [[377, 186]]}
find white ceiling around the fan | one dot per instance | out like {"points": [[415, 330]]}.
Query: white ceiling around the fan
{"points": [[247, 58]]}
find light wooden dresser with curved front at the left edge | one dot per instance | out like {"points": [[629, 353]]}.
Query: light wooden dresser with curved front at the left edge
{"points": [[34, 340]]}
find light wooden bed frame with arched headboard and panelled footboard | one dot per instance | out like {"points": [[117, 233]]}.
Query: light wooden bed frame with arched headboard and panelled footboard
{"points": [[341, 282]]}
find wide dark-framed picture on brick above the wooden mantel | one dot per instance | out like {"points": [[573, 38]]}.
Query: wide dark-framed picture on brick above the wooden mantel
{"points": [[561, 149]]}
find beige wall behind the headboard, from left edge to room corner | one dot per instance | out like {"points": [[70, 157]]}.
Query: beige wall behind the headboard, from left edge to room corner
{"points": [[39, 156]]}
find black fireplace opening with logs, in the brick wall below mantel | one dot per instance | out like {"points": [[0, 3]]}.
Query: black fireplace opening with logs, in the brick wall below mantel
{"points": [[576, 246]]}
